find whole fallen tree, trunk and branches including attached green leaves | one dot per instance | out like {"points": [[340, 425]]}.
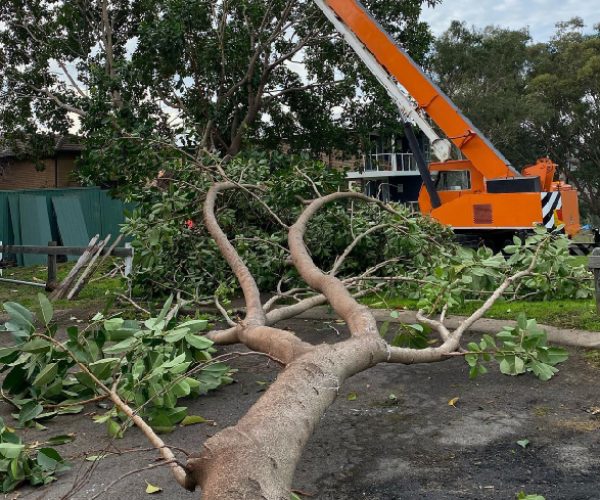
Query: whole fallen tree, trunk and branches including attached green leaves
{"points": [[257, 457]]}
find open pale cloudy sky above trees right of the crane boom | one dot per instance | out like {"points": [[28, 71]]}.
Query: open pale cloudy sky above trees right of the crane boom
{"points": [[540, 16]]}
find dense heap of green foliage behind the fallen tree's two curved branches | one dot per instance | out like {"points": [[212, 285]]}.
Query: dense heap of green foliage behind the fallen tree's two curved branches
{"points": [[173, 248]]}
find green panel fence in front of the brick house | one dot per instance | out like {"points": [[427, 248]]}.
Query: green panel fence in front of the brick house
{"points": [[70, 216]]}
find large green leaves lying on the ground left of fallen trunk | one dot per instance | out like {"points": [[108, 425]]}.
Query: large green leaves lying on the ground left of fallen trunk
{"points": [[152, 364]]}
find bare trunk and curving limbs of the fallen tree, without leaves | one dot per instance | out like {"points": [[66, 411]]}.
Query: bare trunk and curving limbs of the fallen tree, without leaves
{"points": [[257, 457]]}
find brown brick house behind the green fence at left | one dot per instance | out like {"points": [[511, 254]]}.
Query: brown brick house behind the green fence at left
{"points": [[54, 172]]}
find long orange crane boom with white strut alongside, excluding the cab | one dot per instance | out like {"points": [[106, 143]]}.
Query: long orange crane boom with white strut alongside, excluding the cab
{"points": [[387, 60]]}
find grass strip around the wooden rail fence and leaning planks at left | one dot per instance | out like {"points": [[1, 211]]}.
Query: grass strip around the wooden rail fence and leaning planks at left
{"points": [[94, 293]]}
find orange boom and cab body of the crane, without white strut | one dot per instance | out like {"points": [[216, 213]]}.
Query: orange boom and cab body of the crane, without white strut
{"points": [[492, 195]]}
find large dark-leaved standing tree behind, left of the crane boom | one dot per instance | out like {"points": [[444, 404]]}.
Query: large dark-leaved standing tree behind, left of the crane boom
{"points": [[199, 74]]}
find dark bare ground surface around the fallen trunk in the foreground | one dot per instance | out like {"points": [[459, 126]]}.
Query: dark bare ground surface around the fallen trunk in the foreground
{"points": [[411, 445]]}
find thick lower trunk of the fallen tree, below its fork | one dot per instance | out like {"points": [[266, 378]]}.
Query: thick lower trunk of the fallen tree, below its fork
{"points": [[256, 458]]}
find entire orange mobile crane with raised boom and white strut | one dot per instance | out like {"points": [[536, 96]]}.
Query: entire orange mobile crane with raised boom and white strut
{"points": [[481, 194]]}
